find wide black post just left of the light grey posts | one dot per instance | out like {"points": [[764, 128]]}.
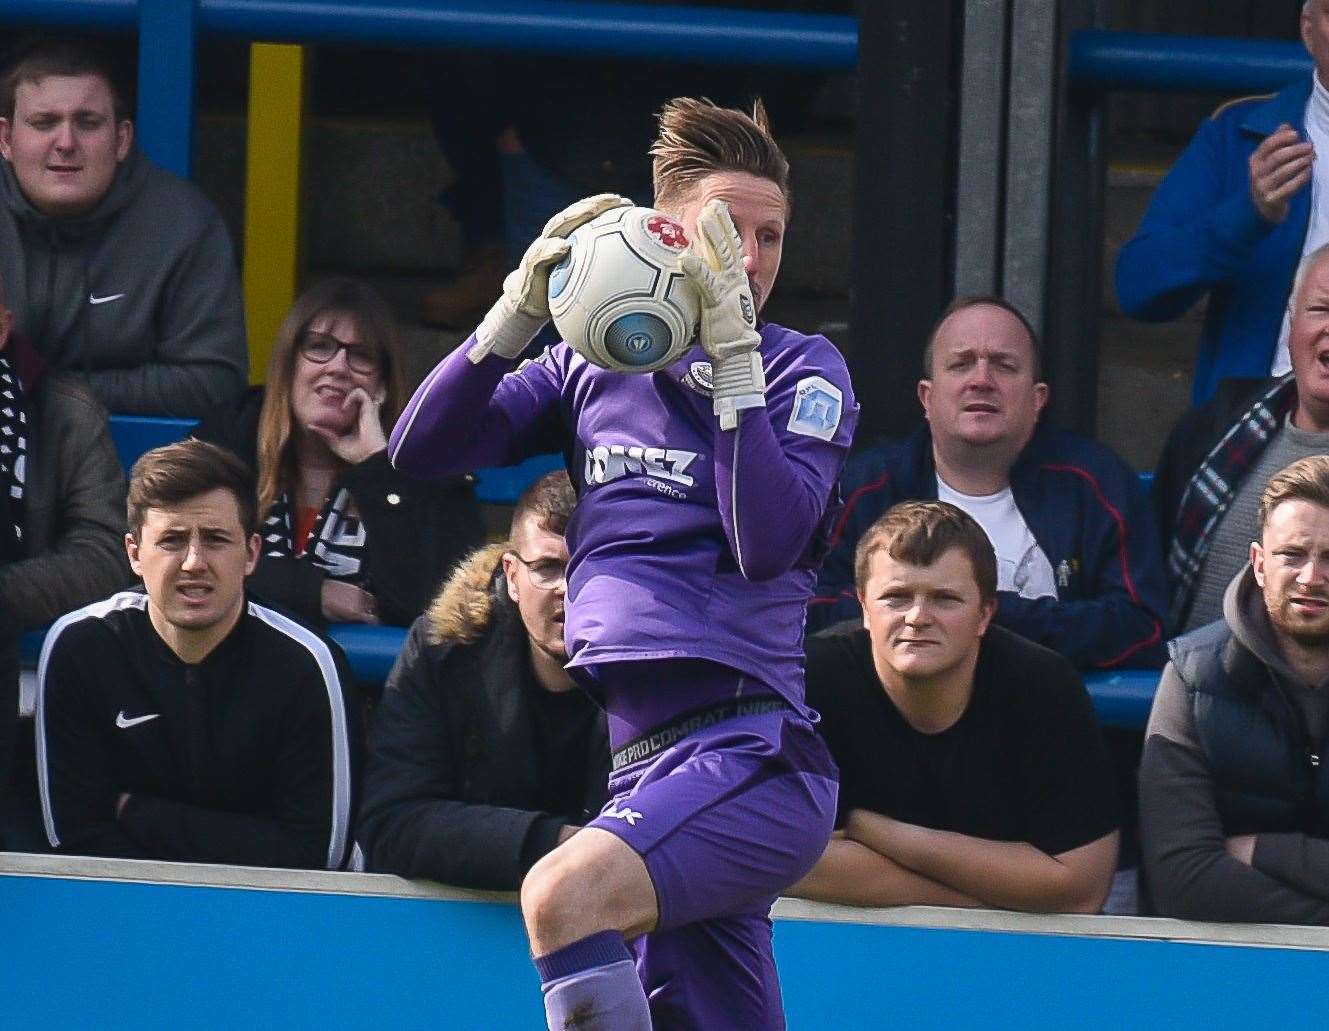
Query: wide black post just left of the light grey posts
{"points": [[903, 203]]}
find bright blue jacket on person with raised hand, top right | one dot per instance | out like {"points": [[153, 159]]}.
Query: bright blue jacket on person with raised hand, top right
{"points": [[1202, 234]]}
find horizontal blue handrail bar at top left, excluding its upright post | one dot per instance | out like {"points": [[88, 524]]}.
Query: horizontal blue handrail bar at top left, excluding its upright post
{"points": [[681, 34]]}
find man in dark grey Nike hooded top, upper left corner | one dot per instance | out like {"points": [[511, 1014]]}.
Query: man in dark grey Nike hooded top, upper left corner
{"points": [[116, 269]]}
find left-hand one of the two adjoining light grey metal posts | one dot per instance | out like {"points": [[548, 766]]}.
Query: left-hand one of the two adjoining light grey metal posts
{"points": [[983, 122]]}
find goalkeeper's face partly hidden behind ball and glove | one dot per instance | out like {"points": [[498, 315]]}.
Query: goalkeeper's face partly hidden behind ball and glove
{"points": [[760, 211]]}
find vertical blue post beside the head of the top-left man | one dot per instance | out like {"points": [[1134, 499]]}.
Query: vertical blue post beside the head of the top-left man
{"points": [[165, 127]]}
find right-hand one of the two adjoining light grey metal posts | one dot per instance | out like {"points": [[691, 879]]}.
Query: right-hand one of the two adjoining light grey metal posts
{"points": [[1029, 153]]}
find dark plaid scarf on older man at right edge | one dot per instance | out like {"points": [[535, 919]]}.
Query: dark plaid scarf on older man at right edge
{"points": [[1215, 484]]}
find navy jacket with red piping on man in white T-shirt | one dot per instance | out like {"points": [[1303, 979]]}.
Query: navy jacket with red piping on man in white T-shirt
{"points": [[1085, 508]]}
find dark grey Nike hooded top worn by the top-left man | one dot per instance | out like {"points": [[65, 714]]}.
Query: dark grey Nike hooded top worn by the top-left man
{"points": [[142, 296]]}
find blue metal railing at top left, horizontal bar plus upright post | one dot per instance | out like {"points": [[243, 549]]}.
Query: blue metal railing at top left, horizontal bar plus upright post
{"points": [[168, 30]]}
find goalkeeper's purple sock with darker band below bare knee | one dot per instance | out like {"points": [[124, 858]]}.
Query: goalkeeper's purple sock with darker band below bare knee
{"points": [[592, 985]]}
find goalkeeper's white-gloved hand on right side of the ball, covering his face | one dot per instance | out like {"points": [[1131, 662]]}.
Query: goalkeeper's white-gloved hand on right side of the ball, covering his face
{"points": [[729, 333]]}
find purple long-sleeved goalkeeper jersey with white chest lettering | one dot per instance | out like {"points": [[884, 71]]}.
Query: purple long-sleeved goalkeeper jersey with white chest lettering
{"points": [[688, 541]]}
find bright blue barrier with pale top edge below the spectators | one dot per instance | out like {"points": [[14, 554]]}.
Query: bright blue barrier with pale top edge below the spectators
{"points": [[124, 944]]}
